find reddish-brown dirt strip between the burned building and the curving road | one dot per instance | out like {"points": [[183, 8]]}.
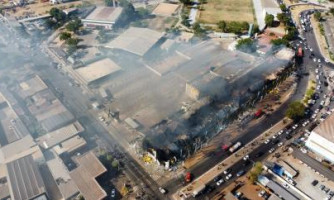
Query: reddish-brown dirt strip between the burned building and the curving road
{"points": [[234, 129]]}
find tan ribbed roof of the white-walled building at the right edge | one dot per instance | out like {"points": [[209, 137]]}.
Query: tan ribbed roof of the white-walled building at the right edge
{"points": [[326, 128]]}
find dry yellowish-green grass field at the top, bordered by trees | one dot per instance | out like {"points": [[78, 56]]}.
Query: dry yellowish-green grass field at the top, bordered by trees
{"points": [[216, 10]]}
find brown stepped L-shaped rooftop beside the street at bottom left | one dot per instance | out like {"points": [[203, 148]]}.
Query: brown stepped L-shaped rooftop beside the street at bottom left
{"points": [[84, 176]]}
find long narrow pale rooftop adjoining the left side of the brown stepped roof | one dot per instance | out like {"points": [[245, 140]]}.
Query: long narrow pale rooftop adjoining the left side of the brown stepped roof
{"points": [[61, 175]]}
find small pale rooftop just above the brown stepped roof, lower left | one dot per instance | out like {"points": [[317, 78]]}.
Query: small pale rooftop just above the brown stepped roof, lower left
{"points": [[70, 145]]}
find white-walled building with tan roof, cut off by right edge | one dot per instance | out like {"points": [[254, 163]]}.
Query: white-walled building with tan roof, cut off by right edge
{"points": [[321, 140]]}
